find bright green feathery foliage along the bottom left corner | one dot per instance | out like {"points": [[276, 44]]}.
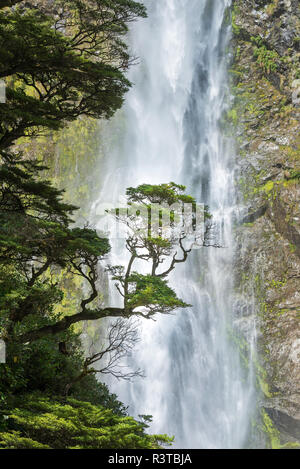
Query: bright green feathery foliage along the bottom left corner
{"points": [[40, 422]]}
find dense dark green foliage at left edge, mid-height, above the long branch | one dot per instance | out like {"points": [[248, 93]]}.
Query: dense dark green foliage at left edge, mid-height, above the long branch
{"points": [[35, 235]]}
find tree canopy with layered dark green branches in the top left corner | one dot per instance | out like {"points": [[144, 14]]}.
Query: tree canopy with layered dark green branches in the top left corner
{"points": [[62, 62]]}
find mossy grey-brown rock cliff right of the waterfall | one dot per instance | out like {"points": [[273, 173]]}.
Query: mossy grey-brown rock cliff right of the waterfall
{"points": [[265, 113]]}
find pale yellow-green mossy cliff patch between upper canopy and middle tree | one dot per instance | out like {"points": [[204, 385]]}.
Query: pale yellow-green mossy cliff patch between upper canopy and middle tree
{"points": [[73, 157]]}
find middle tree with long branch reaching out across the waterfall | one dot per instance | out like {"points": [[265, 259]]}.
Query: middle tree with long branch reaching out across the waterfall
{"points": [[44, 239]]}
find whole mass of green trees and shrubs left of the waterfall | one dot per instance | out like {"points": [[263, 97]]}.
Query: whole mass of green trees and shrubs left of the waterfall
{"points": [[61, 61]]}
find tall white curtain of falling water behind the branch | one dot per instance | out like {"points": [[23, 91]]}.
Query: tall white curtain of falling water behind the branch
{"points": [[195, 387]]}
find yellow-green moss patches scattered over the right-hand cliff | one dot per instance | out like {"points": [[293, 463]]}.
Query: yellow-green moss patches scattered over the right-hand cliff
{"points": [[258, 104]]}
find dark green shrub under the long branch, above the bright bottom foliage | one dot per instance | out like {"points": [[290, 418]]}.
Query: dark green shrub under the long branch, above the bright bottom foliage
{"points": [[49, 366]]}
